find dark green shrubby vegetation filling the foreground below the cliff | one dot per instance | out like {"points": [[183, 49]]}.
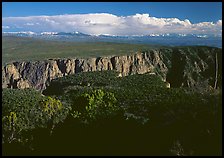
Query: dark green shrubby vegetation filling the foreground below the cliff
{"points": [[99, 113]]}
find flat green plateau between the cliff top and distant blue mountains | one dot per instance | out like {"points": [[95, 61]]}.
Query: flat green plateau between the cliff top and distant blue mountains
{"points": [[30, 49]]}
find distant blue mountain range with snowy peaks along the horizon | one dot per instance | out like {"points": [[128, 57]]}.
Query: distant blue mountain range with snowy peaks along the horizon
{"points": [[161, 39]]}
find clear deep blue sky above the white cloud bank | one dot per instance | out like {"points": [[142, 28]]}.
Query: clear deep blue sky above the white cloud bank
{"points": [[194, 11]]}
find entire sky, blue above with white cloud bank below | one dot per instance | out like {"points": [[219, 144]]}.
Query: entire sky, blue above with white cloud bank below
{"points": [[115, 18]]}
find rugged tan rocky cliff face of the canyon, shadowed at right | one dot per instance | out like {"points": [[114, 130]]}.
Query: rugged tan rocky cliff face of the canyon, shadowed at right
{"points": [[179, 66]]}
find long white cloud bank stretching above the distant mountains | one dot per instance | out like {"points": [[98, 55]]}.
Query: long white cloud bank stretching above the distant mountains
{"points": [[104, 23]]}
